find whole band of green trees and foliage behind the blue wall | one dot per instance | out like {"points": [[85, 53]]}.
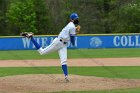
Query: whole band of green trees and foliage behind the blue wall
{"points": [[50, 16]]}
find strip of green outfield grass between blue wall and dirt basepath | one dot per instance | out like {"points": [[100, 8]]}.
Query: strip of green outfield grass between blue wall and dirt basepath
{"points": [[72, 53]]}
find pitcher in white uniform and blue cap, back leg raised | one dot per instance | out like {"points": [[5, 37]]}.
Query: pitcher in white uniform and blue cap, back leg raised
{"points": [[60, 43]]}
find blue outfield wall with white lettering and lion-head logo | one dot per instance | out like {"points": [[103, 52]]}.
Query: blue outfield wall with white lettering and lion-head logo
{"points": [[82, 41]]}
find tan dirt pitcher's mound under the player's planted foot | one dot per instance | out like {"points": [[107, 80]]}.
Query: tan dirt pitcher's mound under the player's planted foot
{"points": [[53, 83]]}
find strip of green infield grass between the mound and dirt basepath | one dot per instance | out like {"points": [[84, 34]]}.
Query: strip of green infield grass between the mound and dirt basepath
{"points": [[110, 72]]}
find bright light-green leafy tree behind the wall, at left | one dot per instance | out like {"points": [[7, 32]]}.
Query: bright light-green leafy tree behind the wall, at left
{"points": [[22, 15]]}
